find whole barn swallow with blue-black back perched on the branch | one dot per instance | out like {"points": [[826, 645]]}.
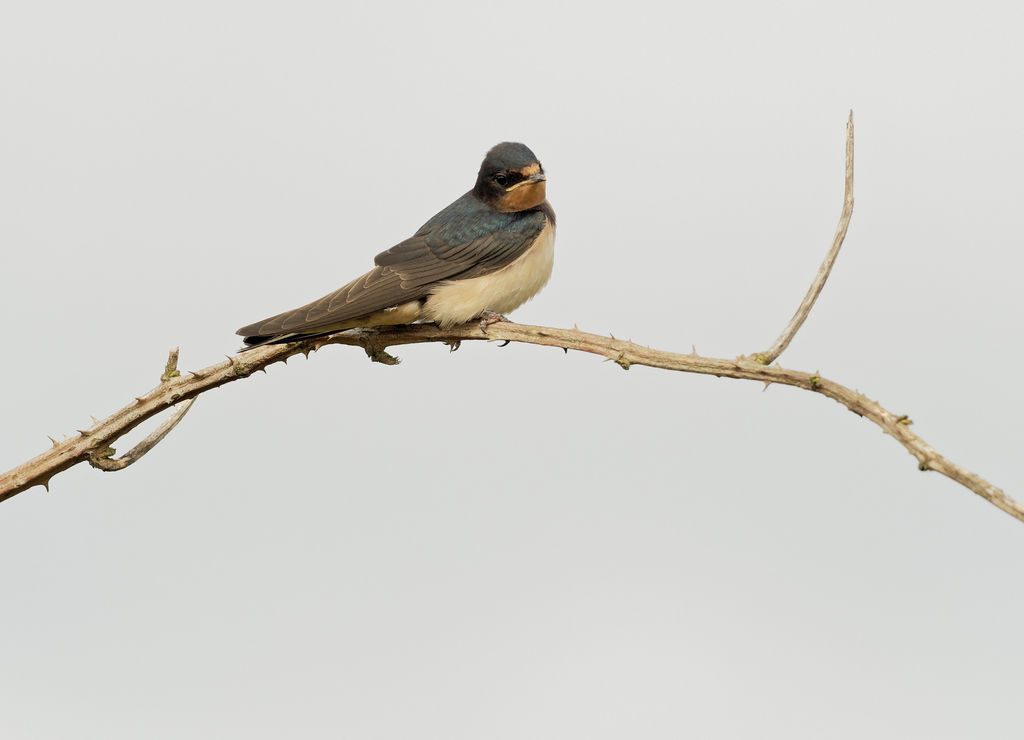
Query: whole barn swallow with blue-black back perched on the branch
{"points": [[485, 255]]}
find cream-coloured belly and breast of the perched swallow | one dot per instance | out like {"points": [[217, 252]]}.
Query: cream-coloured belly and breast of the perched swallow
{"points": [[458, 301]]}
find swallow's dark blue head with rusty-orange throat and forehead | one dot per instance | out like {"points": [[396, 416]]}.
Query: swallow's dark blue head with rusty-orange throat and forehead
{"points": [[511, 179]]}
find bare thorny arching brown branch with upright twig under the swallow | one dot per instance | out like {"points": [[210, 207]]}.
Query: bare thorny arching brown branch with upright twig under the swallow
{"points": [[96, 444]]}
